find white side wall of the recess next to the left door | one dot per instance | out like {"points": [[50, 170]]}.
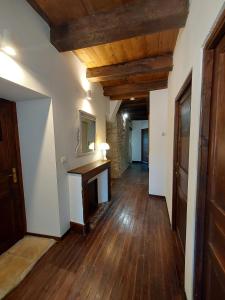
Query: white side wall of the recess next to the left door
{"points": [[37, 146]]}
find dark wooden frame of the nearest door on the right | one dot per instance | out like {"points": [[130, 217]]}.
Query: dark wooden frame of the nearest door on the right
{"points": [[204, 151]]}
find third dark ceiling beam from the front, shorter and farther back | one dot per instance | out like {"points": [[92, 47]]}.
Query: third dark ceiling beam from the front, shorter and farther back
{"points": [[133, 89]]}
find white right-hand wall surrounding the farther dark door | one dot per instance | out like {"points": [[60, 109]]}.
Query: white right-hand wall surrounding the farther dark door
{"points": [[187, 57]]}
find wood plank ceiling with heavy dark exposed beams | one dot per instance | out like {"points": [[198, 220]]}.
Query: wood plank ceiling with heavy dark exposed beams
{"points": [[127, 45]]}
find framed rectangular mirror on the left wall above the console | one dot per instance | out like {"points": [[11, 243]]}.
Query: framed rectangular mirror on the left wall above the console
{"points": [[87, 133]]}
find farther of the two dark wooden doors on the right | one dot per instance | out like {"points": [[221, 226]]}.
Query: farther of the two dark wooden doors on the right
{"points": [[182, 136]]}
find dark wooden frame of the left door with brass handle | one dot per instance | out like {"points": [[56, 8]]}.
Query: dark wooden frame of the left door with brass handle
{"points": [[19, 168]]}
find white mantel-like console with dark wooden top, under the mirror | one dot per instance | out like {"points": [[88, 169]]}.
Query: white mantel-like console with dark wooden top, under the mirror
{"points": [[79, 180]]}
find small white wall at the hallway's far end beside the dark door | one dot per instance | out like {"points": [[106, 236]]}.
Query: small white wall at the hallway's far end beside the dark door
{"points": [[136, 138]]}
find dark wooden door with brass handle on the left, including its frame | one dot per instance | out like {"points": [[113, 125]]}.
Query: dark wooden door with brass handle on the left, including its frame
{"points": [[12, 213]]}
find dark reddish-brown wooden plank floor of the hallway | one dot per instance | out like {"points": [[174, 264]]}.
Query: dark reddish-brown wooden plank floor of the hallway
{"points": [[129, 255]]}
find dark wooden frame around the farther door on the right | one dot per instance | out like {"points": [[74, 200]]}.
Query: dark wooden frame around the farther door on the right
{"points": [[182, 91]]}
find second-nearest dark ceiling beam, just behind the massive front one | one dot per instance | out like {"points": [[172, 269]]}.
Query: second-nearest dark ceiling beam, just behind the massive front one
{"points": [[162, 63]]}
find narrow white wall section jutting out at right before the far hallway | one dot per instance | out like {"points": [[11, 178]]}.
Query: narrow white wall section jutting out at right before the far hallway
{"points": [[158, 142]]}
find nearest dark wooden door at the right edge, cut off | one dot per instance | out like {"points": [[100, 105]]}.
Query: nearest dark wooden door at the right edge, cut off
{"points": [[214, 248]]}
